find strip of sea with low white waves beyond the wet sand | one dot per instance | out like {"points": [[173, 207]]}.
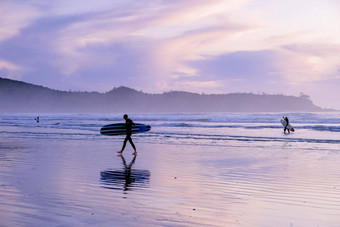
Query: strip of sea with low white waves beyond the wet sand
{"points": [[312, 130]]}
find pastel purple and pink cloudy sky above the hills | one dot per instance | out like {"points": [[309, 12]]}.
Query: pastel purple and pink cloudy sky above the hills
{"points": [[204, 46]]}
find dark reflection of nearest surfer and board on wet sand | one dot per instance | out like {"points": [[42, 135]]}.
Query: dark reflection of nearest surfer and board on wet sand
{"points": [[125, 179]]}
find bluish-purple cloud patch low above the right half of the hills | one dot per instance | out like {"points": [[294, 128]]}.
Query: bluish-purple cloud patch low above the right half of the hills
{"points": [[242, 70]]}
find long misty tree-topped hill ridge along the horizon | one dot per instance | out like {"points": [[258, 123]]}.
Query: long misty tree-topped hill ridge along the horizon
{"points": [[19, 97]]}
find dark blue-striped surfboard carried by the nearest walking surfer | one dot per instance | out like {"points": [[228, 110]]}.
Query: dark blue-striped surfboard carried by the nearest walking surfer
{"points": [[119, 129]]}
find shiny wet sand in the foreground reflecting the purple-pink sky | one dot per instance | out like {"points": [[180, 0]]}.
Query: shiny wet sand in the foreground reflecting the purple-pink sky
{"points": [[84, 183]]}
